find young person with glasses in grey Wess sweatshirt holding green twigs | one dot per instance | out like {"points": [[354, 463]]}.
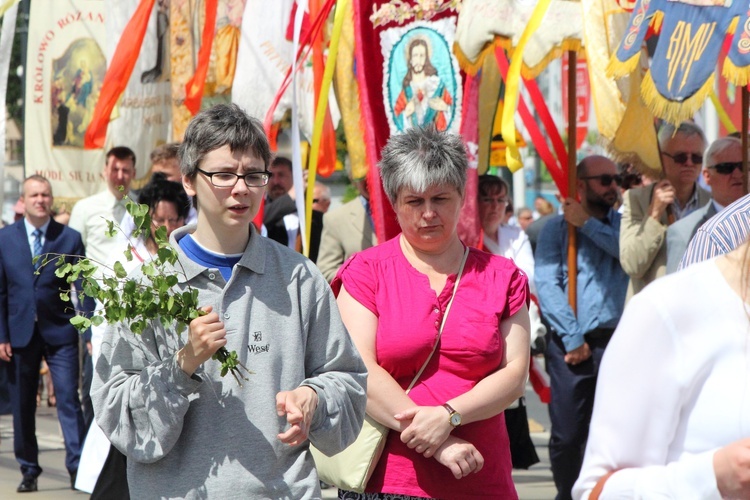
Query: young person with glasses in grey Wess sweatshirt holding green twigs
{"points": [[187, 431]]}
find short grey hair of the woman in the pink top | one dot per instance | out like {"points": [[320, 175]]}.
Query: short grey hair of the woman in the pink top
{"points": [[421, 158]]}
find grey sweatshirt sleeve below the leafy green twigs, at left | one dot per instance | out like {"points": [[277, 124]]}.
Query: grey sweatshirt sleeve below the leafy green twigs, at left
{"points": [[140, 394]]}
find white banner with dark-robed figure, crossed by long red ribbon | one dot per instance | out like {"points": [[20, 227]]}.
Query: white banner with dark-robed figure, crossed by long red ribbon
{"points": [[145, 103]]}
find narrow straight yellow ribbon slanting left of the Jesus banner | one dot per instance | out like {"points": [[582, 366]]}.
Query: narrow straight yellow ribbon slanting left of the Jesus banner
{"points": [[320, 114]]}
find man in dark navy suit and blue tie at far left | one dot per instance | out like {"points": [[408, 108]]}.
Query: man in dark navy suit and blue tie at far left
{"points": [[34, 323]]}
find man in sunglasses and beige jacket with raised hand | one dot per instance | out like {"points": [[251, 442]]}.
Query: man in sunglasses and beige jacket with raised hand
{"points": [[648, 210]]}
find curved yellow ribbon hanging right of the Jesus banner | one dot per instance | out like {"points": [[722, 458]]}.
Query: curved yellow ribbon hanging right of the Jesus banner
{"points": [[512, 83]]}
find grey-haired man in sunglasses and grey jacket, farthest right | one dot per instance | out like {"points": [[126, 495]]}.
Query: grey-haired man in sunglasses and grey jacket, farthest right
{"points": [[723, 172]]}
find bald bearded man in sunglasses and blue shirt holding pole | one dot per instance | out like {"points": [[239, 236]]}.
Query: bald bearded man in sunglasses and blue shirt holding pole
{"points": [[577, 339]]}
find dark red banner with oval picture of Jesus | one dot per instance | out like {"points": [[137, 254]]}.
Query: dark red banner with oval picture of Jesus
{"points": [[420, 85]]}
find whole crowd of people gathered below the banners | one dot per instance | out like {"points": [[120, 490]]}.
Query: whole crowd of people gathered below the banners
{"points": [[427, 336]]}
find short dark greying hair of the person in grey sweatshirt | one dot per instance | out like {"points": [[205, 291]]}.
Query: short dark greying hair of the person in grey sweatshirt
{"points": [[222, 125]]}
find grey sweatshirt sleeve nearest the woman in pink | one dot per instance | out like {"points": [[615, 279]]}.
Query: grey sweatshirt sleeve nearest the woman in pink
{"points": [[336, 371]]}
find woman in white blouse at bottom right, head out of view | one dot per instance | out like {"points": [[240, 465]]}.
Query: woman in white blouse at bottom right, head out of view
{"points": [[672, 409]]}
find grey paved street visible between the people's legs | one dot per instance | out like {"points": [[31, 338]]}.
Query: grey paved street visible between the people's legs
{"points": [[534, 484]]}
